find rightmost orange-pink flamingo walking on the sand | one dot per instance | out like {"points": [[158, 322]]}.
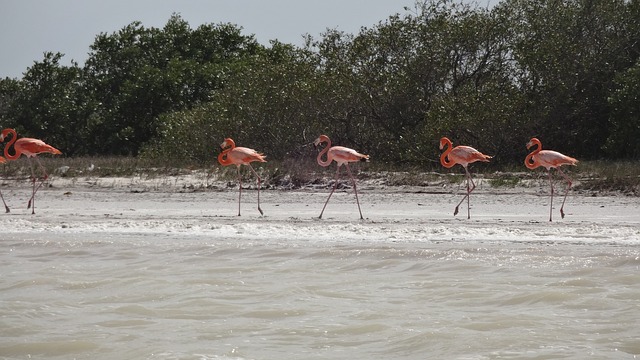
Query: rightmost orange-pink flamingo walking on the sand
{"points": [[549, 159]]}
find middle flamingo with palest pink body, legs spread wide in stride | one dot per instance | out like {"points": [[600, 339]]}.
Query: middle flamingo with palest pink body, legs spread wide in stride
{"points": [[341, 155]]}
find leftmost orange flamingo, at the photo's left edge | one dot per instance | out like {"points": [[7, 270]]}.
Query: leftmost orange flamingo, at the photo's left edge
{"points": [[30, 148]]}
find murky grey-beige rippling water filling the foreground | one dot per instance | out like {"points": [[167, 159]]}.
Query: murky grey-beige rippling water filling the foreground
{"points": [[174, 297]]}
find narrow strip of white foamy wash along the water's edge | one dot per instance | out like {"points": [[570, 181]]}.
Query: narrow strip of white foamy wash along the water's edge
{"points": [[321, 231]]}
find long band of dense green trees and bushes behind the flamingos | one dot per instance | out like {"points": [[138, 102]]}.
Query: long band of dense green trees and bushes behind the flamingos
{"points": [[564, 71]]}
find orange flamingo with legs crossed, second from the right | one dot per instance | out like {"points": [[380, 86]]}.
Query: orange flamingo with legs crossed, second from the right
{"points": [[463, 155]]}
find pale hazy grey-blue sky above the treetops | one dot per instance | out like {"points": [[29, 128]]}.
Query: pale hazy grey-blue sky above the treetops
{"points": [[28, 28]]}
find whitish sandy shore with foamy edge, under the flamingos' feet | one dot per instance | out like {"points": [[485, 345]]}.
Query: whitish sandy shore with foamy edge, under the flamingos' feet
{"points": [[180, 206]]}
